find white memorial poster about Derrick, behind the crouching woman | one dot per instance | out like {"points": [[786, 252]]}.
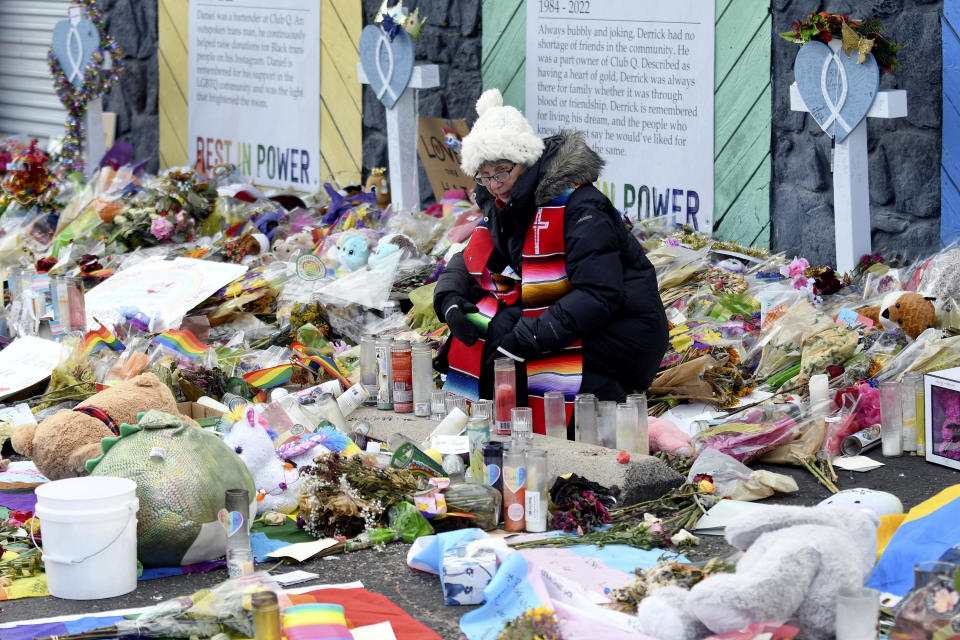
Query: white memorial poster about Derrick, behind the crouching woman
{"points": [[637, 79]]}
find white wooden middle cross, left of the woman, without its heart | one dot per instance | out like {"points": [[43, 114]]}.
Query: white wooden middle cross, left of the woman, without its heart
{"points": [[402, 137]]}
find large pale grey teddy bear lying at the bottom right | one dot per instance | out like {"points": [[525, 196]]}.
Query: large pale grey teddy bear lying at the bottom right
{"points": [[796, 560]]}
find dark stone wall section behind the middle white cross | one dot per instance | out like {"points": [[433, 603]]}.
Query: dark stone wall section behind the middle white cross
{"points": [[451, 40]]}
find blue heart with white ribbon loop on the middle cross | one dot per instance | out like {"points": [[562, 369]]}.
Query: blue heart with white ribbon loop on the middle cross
{"points": [[388, 65]]}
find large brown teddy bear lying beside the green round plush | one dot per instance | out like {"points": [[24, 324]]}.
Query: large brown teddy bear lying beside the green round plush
{"points": [[62, 444]]}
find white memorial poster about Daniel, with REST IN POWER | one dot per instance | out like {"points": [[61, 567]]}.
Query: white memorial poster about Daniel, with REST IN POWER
{"points": [[255, 89]]}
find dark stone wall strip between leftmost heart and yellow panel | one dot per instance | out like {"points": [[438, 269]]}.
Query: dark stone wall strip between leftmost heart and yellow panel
{"points": [[133, 24]]}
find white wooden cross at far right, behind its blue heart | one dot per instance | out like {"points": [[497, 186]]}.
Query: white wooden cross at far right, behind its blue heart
{"points": [[851, 183]]}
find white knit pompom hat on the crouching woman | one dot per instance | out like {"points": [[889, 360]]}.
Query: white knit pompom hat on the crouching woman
{"points": [[500, 133]]}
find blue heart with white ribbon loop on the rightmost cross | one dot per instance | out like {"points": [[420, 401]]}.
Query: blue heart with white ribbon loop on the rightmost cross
{"points": [[837, 91]]}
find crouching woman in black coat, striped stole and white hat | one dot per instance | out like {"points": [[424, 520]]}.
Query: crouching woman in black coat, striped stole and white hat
{"points": [[551, 277]]}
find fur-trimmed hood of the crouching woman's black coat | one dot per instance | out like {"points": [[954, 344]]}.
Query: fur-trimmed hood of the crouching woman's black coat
{"points": [[567, 160]]}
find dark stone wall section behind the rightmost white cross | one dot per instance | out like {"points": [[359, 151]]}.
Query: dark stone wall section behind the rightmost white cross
{"points": [[904, 154]]}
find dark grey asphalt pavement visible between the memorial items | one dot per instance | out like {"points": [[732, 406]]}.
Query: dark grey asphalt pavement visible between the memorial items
{"points": [[910, 478]]}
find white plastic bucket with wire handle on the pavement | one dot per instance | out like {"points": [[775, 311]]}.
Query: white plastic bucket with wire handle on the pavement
{"points": [[89, 531]]}
